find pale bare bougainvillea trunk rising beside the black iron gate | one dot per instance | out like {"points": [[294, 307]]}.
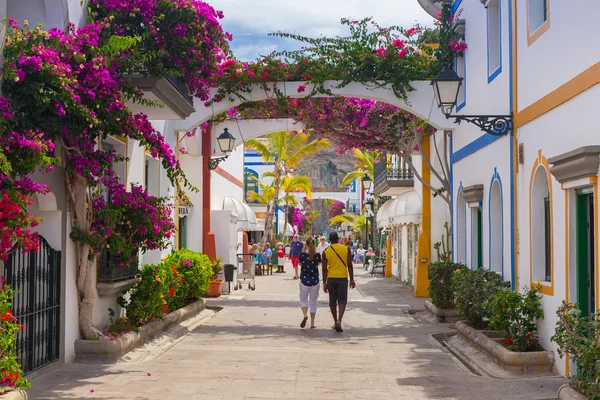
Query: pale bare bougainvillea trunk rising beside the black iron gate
{"points": [[82, 219]]}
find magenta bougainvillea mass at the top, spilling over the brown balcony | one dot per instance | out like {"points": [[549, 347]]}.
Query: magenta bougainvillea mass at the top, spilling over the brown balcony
{"points": [[184, 37]]}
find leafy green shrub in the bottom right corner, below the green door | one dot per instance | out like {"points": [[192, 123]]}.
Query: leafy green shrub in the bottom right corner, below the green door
{"points": [[578, 336]]}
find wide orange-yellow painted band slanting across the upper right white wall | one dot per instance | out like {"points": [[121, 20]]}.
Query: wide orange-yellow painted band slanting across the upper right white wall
{"points": [[579, 84]]}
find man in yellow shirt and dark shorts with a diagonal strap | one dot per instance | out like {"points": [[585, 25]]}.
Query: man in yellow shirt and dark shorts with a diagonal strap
{"points": [[337, 265]]}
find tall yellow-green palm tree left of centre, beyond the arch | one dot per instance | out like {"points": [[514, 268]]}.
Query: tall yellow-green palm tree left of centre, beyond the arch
{"points": [[286, 150]]}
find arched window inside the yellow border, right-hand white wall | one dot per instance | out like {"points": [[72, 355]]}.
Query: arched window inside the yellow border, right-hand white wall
{"points": [[541, 226]]}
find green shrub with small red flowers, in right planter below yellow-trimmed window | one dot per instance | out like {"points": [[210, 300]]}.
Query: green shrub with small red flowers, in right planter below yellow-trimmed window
{"points": [[514, 315]]}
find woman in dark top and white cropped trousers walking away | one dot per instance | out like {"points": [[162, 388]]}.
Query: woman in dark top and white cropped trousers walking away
{"points": [[309, 282]]}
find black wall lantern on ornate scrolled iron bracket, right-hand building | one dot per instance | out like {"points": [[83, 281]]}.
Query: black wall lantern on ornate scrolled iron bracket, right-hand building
{"points": [[446, 87]]}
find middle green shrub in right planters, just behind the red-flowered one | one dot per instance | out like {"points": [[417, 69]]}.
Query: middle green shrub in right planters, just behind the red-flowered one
{"points": [[472, 288]]}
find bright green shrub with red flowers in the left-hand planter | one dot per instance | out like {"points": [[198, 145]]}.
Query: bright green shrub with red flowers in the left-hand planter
{"points": [[180, 279]]}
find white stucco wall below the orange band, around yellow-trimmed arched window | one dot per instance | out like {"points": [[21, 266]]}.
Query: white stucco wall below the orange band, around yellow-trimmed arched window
{"points": [[563, 129]]}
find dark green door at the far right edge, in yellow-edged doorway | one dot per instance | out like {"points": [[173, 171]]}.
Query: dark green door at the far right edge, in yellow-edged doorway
{"points": [[586, 296]]}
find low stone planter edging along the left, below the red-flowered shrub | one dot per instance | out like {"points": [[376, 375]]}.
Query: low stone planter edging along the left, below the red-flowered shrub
{"points": [[112, 350]]}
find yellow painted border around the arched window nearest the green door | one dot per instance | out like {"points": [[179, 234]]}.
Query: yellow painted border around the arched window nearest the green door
{"points": [[541, 162]]}
